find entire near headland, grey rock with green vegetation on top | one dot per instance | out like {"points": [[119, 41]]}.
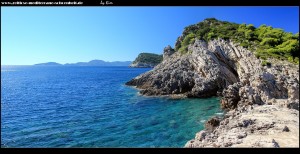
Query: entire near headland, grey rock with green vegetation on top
{"points": [[261, 97]]}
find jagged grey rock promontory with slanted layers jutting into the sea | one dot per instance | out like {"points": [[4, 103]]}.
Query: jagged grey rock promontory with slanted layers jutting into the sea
{"points": [[209, 69]]}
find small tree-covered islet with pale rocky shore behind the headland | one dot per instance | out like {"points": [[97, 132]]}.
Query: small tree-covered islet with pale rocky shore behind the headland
{"points": [[147, 60]]}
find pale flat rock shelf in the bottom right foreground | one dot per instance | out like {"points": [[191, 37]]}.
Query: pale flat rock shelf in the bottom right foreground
{"points": [[259, 126]]}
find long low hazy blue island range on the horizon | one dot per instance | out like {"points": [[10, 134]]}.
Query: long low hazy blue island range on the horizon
{"points": [[90, 63]]}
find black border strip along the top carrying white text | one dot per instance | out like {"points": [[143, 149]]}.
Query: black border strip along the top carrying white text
{"points": [[106, 3]]}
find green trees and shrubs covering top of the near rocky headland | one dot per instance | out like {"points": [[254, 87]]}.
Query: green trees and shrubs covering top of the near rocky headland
{"points": [[265, 41]]}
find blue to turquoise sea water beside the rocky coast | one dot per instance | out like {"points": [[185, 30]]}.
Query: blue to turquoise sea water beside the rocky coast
{"points": [[57, 106]]}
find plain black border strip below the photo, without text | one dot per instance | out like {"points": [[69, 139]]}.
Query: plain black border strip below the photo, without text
{"points": [[145, 150]]}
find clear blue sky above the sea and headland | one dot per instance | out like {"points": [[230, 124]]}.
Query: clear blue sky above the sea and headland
{"points": [[31, 35]]}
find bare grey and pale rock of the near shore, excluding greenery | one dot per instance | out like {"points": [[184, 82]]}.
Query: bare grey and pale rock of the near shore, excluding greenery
{"points": [[262, 102]]}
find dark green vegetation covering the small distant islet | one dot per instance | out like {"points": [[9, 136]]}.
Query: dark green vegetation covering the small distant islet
{"points": [[149, 58]]}
